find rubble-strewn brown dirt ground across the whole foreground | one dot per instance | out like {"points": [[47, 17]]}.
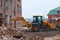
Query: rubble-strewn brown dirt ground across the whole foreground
{"points": [[28, 35]]}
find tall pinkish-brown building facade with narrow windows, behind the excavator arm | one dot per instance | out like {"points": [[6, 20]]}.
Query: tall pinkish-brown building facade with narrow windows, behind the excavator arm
{"points": [[10, 9]]}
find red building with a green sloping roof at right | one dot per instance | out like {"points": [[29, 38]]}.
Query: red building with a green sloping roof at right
{"points": [[54, 15]]}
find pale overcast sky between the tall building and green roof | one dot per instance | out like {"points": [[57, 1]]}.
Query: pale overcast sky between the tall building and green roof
{"points": [[33, 7]]}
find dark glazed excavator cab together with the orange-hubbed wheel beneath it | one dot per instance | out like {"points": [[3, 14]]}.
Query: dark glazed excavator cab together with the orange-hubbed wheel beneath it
{"points": [[37, 22]]}
